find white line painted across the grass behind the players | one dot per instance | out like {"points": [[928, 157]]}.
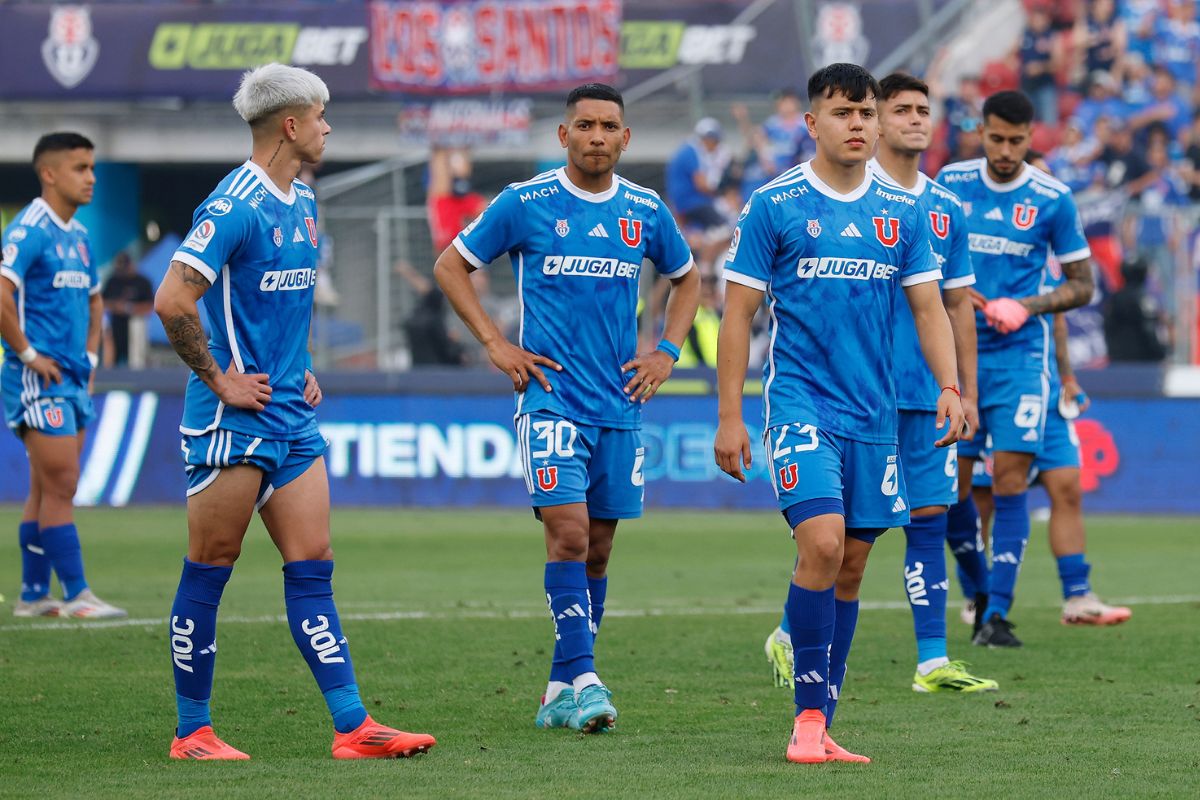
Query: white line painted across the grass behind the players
{"points": [[481, 613]]}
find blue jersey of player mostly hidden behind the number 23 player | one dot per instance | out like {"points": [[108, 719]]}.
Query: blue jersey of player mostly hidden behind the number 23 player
{"points": [[943, 212]]}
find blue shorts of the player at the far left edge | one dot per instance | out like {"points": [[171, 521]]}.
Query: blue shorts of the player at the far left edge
{"points": [[59, 411]]}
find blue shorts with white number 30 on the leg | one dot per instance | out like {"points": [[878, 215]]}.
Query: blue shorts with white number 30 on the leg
{"points": [[565, 462]]}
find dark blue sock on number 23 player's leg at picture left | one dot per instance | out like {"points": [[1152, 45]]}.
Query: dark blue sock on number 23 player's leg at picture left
{"points": [[812, 617]]}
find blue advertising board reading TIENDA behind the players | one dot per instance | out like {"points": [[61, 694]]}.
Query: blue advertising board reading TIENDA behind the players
{"points": [[413, 450]]}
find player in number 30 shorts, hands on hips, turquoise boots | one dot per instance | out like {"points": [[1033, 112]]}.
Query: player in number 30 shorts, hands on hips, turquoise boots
{"points": [[578, 237]]}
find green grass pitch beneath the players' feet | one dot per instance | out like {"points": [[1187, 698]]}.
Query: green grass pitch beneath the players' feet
{"points": [[447, 622]]}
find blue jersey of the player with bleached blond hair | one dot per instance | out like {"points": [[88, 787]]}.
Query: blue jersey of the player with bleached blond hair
{"points": [[259, 248]]}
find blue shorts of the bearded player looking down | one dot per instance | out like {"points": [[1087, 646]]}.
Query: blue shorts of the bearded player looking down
{"points": [[1013, 406]]}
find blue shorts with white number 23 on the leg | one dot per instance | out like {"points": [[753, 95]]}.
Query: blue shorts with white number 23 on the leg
{"points": [[867, 479]]}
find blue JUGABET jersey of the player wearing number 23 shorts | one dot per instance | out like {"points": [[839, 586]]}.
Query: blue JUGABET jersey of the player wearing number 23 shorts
{"points": [[832, 266]]}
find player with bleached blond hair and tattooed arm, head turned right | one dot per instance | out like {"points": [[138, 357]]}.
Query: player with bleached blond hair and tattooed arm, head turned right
{"points": [[250, 426]]}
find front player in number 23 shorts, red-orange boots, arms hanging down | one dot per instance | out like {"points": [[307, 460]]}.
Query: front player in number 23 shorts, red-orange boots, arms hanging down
{"points": [[831, 244]]}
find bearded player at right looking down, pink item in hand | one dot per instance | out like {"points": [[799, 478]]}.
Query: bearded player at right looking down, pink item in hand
{"points": [[1016, 216]]}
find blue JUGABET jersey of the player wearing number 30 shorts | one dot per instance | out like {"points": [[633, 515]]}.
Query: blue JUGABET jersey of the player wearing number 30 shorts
{"points": [[578, 258]]}
